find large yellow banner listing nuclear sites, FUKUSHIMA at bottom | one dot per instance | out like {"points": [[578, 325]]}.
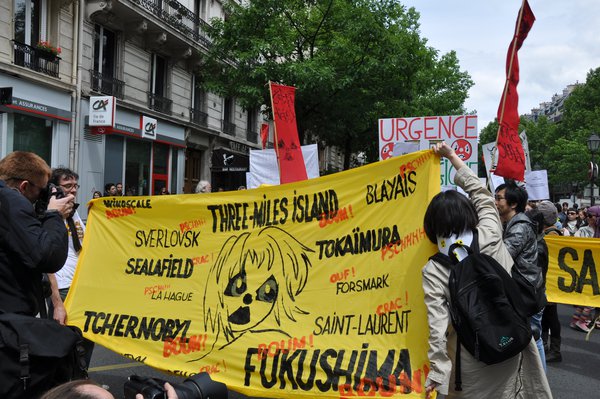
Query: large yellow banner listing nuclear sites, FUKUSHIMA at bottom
{"points": [[301, 289]]}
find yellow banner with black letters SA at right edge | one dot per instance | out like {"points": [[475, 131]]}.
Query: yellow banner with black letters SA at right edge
{"points": [[572, 273]]}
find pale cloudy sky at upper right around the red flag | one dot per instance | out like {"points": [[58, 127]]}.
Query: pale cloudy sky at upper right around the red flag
{"points": [[561, 48]]}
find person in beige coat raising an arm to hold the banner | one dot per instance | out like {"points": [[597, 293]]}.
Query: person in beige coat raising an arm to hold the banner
{"points": [[523, 372]]}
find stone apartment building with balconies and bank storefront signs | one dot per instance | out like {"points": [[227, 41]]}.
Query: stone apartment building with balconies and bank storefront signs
{"points": [[144, 53]]}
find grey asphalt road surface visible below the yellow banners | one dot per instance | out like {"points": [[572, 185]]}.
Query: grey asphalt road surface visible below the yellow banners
{"points": [[577, 376]]}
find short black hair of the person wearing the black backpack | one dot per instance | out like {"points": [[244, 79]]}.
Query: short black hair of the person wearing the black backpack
{"points": [[449, 212]]}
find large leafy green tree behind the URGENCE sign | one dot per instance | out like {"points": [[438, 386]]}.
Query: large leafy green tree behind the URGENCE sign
{"points": [[352, 62]]}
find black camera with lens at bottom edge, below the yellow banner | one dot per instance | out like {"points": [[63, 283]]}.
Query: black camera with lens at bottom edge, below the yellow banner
{"points": [[198, 386]]}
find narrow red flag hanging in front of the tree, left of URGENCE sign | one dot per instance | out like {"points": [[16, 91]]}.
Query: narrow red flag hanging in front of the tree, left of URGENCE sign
{"points": [[287, 143]]}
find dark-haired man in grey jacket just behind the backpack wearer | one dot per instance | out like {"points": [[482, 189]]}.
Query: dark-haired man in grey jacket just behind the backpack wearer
{"points": [[521, 240]]}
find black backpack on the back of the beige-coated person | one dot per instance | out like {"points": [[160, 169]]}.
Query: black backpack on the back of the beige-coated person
{"points": [[485, 308]]}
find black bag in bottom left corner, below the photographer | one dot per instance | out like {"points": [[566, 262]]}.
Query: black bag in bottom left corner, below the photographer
{"points": [[37, 354]]}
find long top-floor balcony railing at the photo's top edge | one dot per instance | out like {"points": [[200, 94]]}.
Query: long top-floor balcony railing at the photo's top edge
{"points": [[179, 17]]}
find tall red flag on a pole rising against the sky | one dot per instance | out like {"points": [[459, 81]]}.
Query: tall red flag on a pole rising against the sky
{"points": [[511, 158]]}
